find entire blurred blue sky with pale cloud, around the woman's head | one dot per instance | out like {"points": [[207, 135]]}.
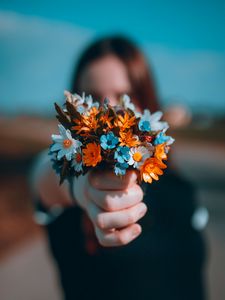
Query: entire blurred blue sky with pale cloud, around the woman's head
{"points": [[183, 40]]}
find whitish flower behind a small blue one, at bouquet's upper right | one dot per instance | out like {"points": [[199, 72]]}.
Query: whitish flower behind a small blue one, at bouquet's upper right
{"points": [[153, 119]]}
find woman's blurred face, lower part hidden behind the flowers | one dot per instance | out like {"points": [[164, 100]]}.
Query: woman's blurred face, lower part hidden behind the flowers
{"points": [[105, 77]]}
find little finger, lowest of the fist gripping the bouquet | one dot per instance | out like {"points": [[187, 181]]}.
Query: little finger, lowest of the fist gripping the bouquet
{"points": [[118, 237]]}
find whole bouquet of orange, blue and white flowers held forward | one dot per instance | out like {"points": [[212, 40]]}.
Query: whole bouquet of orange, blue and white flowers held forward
{"points": [[101, 136]]}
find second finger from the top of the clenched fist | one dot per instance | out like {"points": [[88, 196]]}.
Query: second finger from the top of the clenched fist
{"points": [[115, 200]]}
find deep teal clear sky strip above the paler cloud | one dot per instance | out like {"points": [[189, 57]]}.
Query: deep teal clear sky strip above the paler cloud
{"points": [[187, 24]]}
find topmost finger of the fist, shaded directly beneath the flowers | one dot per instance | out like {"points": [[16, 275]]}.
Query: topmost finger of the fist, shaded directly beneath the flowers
{"points": [[107, 180]]}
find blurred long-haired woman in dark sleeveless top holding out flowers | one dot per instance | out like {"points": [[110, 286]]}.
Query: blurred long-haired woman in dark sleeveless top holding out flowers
{"points": [[97, 242]]}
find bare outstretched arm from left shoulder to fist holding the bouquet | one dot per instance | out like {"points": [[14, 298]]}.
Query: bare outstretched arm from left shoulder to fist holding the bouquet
{"points": [[114, 205]]}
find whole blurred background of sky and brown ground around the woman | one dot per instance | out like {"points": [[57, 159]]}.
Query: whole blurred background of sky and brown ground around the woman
{"points": [[39, 44]]}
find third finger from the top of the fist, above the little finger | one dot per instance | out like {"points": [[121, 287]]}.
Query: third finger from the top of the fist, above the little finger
{"points": [[119, 219]]}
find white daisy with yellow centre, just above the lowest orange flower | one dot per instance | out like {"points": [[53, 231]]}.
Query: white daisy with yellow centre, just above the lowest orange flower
{"points": [[138, 155]]}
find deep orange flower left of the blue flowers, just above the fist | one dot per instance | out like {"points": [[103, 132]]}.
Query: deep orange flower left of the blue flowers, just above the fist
{"points": [[92, 155]]}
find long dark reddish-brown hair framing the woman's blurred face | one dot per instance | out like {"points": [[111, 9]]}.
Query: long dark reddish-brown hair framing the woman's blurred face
{"points": [[143, 87]]}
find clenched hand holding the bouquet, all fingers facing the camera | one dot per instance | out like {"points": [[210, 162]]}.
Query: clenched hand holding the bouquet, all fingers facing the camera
{"points": [[113, 204]]}
